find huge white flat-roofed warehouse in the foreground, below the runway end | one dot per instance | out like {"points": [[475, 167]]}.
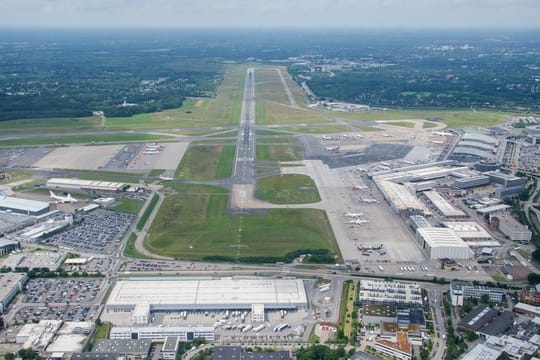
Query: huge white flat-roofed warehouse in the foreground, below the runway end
{"points": [[142, 296]]}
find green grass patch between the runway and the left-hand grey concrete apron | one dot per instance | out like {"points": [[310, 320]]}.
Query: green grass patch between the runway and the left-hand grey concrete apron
{"points": [[206, 163]]}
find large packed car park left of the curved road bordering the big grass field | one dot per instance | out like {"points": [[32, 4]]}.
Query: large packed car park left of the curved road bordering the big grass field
{"points": [[97, 231]]}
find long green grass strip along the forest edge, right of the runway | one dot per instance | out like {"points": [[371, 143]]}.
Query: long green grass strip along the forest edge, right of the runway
{"points": [[452, 118]]}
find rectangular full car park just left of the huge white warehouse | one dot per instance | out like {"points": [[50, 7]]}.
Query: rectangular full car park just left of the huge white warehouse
{"points": [[62, 291]]}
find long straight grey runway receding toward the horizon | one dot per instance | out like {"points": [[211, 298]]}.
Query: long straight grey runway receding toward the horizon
{"points": [[244, 165]]}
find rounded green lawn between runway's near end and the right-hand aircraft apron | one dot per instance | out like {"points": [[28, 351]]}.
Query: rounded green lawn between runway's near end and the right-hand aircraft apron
{"points": [[287, 189]]}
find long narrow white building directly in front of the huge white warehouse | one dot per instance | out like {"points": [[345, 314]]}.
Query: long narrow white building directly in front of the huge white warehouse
{"points": [[160, 333]]}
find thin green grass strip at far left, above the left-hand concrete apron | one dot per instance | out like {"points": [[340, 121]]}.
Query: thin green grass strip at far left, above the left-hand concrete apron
{"points": [[83, 138]]}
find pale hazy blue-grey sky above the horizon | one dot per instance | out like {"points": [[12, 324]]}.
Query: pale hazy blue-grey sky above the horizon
{"points": [[272, 13]]}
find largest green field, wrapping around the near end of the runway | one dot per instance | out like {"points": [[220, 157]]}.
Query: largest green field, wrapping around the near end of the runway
{"points": [[194, 224]]}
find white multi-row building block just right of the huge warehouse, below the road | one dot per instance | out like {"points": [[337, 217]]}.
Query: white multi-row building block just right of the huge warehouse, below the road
{"points": [[389, 292]]}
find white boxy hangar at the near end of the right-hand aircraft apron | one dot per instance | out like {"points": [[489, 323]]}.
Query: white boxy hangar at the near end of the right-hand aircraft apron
{"points": [[438, 243]]}
